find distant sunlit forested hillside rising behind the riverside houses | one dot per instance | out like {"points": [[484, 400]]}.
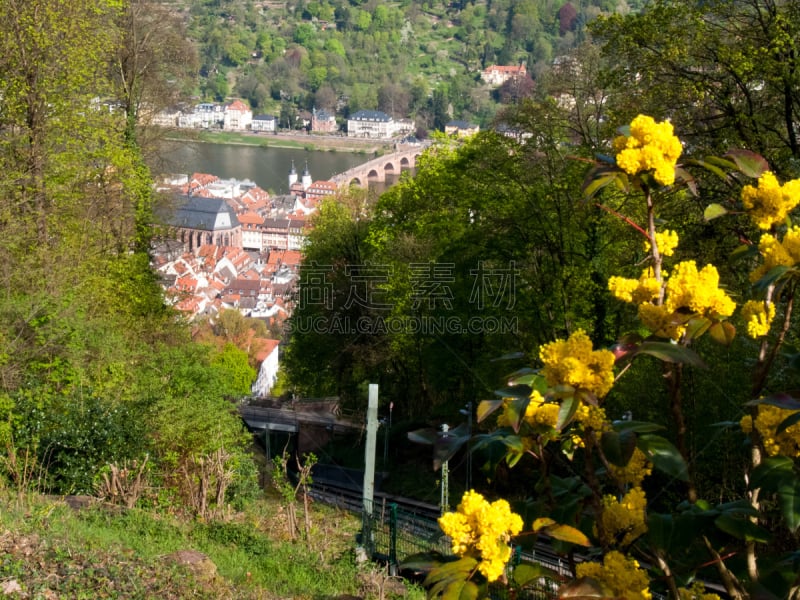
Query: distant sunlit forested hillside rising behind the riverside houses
{"points": [[417, 59]]}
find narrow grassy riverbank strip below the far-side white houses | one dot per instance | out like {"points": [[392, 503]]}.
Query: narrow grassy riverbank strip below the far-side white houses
{"points": [[297, 141]]}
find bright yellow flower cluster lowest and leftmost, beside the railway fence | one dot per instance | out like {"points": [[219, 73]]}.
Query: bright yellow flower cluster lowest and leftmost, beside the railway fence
{"points": [[483, 529]]}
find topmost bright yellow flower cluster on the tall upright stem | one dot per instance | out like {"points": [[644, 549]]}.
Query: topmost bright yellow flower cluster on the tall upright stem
{"points": [[650, 146]]}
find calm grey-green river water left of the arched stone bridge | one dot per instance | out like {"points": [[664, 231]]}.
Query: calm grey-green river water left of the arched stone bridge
{"points": [[268, 167]]}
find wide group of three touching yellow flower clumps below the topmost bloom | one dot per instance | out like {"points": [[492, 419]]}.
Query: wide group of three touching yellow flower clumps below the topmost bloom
{"points": [[685, 288]]}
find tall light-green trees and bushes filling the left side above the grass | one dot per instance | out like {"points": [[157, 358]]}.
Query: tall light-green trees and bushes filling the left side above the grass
{"points": [[97, 374]]}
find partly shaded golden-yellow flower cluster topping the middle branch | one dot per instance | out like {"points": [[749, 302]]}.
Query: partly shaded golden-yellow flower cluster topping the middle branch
{"points": [[573, 362]]}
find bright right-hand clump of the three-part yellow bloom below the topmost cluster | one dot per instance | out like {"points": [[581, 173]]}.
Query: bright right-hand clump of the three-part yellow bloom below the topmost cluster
{"points": [[698, 291]]}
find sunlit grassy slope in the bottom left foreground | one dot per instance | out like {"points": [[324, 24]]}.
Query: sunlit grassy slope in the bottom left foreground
{"points": [[48, 549]]}
